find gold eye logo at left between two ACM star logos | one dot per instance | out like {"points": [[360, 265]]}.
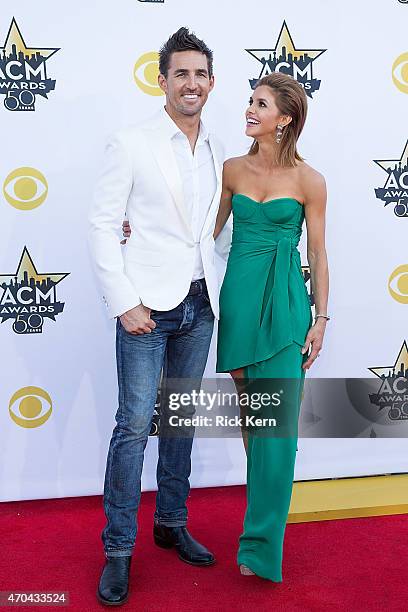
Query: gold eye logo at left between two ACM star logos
{"points": [[25, 188]]}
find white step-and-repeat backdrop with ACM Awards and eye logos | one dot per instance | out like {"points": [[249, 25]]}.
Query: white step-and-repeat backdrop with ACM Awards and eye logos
{"points": [[72, 74]]}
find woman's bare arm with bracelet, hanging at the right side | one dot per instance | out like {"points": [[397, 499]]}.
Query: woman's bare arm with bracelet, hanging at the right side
{"points": [[315, 214]]}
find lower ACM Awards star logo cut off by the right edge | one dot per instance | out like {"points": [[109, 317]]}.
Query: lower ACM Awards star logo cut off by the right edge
{"points": [[392, 395]]}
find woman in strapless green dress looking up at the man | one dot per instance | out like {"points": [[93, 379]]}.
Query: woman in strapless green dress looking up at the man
{"points": [[265, 327]]}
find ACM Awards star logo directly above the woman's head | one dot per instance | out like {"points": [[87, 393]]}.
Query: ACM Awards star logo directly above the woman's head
{"points": [[285, 58]]}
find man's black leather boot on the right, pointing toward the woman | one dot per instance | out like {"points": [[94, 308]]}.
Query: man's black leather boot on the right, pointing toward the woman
{"points": [[188, 549]]}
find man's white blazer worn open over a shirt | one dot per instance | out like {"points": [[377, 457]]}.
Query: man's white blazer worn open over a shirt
{"points": [[140, 177]]}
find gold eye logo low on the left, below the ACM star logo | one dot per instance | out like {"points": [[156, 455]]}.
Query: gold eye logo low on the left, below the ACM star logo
{"points": [[27, 409]]}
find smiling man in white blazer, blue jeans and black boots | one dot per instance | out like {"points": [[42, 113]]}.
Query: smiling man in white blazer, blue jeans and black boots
{"points": [[163, 290]]}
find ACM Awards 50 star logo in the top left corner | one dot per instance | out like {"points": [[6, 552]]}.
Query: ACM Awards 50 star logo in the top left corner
{"points": [[23, 72]]}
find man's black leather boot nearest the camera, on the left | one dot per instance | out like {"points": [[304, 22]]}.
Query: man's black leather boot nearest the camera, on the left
{"points": [[113, 587]]}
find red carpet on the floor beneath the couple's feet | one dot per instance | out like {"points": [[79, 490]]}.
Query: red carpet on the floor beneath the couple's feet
{"points": [[342, 565]]}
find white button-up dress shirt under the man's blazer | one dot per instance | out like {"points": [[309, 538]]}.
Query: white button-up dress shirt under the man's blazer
{"points": [[199, 181]]}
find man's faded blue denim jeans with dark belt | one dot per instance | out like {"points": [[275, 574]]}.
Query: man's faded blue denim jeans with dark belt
{"points": [[179, 344]]}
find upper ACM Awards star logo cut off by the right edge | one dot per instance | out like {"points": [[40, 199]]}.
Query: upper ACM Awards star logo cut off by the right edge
{"points": [[395, 190]]}
